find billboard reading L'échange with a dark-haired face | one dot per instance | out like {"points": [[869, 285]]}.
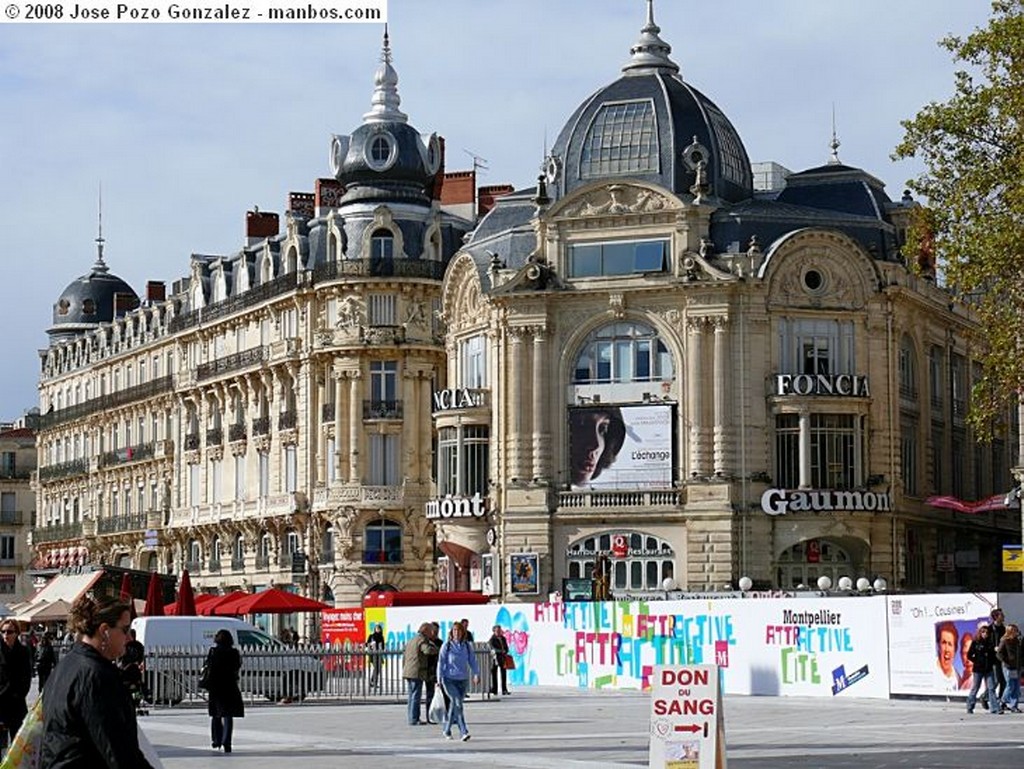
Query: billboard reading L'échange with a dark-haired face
{"points": [[621, 447]]}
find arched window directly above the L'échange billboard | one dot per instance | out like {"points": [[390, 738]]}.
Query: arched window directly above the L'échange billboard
{"points": [[624, 353]]}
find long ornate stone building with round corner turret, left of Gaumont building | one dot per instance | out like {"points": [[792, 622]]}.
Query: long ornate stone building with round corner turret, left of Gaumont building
{"points": [[268, 420]]}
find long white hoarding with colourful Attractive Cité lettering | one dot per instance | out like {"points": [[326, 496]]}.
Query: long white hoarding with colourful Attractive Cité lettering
{"points": [[806, 647]]}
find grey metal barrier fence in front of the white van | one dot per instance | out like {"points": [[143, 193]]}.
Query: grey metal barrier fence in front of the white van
{"points": [[307, 673]]}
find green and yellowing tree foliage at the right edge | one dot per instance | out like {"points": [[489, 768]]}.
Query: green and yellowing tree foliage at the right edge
{"points": [[973, 150]]}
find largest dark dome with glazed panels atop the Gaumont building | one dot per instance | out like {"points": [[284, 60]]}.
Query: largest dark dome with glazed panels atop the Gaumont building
{"points": [[651, 125]]}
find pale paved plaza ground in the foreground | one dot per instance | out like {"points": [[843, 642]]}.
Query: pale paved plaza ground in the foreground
{"points": [[557, 729]]}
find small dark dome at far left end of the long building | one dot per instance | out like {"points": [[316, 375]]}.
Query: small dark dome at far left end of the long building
{"points": [[91, 301]]}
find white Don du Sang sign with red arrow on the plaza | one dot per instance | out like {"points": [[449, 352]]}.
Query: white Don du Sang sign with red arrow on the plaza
{"points": [[688, 728]]}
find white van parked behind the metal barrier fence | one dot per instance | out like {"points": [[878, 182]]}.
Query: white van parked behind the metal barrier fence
{"points": [[177, 649]]}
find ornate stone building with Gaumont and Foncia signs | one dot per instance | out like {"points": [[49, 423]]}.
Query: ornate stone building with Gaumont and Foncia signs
{"points": [[656, 365]]}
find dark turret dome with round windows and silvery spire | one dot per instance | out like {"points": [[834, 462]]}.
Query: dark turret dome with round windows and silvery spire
{"points": [[386, 159]]}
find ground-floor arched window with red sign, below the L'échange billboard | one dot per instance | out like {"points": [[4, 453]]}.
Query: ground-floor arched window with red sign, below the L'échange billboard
{"points": [[638, 562]]}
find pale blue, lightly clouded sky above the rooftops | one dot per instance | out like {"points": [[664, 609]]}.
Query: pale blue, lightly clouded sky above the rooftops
{"points": [[186, 127]]}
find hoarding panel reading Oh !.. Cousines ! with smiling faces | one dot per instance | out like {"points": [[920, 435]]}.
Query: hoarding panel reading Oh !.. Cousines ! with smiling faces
{"points": [[929, 637]]}
